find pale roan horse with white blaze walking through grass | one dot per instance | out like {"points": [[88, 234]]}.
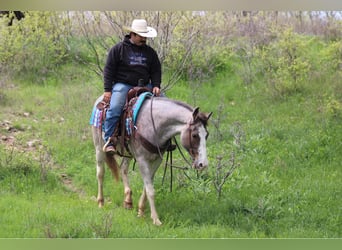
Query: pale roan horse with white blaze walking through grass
{"points": [[159, 120]]}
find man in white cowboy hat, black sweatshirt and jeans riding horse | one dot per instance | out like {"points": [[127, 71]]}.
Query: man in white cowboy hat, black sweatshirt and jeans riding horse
{"points": [[129, 63]]}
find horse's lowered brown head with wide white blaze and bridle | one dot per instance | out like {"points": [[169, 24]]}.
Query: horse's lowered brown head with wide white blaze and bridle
{"points": [[193, 139]]}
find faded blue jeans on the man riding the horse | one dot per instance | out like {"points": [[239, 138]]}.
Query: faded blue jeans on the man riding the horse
{"points": [[117, 103]]}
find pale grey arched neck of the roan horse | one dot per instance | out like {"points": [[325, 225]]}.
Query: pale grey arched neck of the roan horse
{"points": [[169, 118]]}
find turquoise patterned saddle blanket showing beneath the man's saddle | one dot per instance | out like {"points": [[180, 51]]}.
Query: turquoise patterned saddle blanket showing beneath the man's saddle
{"points": [[96, 115]]}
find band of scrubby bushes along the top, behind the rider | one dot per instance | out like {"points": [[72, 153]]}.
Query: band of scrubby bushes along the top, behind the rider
{"points": [[192, 45]]}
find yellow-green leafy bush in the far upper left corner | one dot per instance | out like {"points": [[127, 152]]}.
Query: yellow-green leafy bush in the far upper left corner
{"points": [[33, 46]]}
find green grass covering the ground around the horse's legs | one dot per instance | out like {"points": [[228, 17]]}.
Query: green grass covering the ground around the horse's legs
{"points": [[287, 185]]}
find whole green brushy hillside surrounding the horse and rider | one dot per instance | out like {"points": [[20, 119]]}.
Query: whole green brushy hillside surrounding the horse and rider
{"points": [[274, 147]]}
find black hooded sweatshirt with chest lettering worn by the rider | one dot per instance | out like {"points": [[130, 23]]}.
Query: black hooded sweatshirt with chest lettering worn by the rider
{"points": [[128, 63]]}
